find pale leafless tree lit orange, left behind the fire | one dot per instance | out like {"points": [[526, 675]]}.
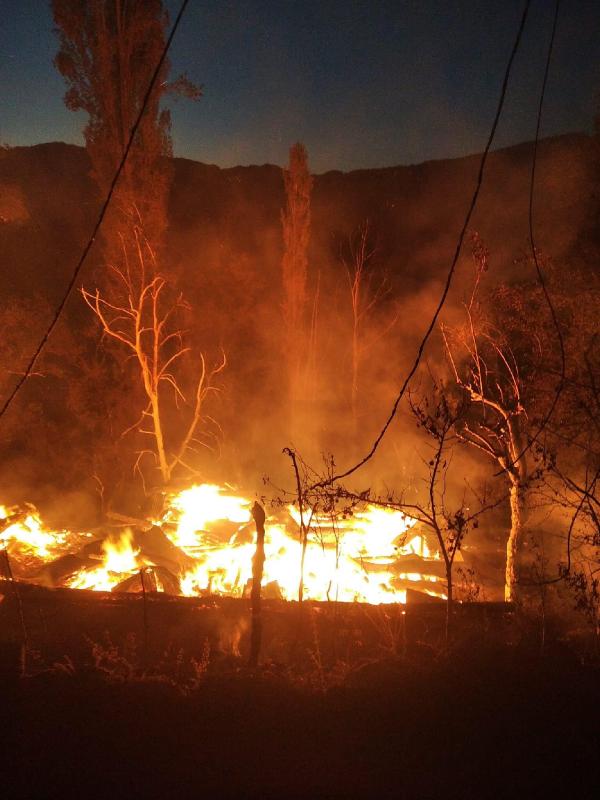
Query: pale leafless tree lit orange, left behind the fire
{"points": [[142, 319]]}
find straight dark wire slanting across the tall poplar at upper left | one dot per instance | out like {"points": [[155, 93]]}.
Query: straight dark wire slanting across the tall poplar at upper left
{"points": [[100, 219]]}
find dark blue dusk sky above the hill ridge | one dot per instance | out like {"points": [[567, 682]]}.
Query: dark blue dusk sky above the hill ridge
{"points": [[361, 83]]}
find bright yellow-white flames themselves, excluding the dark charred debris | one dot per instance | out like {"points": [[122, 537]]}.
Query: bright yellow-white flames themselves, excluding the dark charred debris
{"points": [[358, 558]]}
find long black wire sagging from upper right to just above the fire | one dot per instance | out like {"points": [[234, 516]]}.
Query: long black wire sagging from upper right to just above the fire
{"points": [[452, 269]]}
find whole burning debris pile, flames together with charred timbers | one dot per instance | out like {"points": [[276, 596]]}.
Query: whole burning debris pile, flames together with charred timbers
{"points": [[204, 544]]}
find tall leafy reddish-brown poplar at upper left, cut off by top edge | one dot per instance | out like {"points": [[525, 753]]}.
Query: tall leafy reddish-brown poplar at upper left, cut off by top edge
{"points": [[108, 51]]}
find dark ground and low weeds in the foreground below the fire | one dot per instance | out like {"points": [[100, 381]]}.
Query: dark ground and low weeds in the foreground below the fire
{"points": [[345, 703]]}
